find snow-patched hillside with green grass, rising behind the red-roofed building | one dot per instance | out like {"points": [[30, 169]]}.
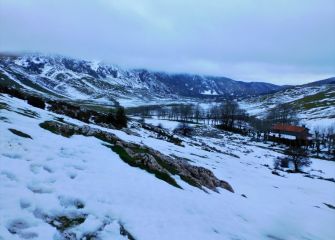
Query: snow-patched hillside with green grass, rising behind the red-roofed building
{"points": [[314, 102]]}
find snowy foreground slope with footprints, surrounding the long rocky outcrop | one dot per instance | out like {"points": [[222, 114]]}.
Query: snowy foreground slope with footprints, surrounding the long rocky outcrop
{"points": [[56, 187]]}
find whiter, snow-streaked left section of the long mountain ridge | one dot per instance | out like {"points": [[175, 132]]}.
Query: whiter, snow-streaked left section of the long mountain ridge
{"points": [[77, 79]]}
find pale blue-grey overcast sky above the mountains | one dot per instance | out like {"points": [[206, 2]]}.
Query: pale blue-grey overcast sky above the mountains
{"points": [[278, 41]]}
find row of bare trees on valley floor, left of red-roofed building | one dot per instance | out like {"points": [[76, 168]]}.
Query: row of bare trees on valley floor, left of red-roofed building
{"points": [[228, 114]]}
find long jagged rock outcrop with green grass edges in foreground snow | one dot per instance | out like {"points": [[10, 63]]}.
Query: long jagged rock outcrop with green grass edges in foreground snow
{"points": [[153, 161]]}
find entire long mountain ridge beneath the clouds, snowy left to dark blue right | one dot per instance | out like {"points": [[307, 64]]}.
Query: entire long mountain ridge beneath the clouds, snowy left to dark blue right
{"points": [[89, 80]]}
